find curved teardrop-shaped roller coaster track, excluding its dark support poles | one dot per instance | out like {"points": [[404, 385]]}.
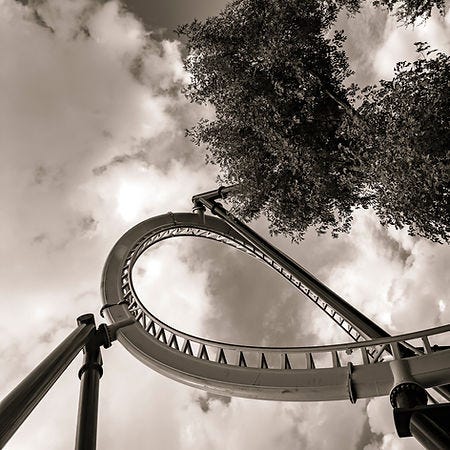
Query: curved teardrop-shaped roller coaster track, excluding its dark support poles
{"points": [[362, 369]]}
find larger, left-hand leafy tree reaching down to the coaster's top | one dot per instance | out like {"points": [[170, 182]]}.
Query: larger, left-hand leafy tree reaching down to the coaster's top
{"points": [[276, 82]]}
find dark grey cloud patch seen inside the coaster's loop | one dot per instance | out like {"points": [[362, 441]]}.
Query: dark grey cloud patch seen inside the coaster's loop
{"points": [[259, 308]]}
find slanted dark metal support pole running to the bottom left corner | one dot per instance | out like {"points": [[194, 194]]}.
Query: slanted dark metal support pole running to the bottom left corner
{"points": [[19, 403]]}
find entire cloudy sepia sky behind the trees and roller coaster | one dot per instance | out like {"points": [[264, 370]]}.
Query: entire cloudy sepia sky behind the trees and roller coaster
{"points": [[92, 123]]}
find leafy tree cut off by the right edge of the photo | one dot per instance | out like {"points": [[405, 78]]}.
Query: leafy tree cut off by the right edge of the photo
{"points": [[410, 175]]}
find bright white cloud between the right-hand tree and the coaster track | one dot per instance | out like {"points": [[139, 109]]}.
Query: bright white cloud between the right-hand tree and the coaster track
{"points": [[408, 279]]}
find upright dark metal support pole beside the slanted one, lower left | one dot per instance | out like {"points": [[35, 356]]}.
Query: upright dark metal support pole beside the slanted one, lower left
{"points": [[90, 374]]}
